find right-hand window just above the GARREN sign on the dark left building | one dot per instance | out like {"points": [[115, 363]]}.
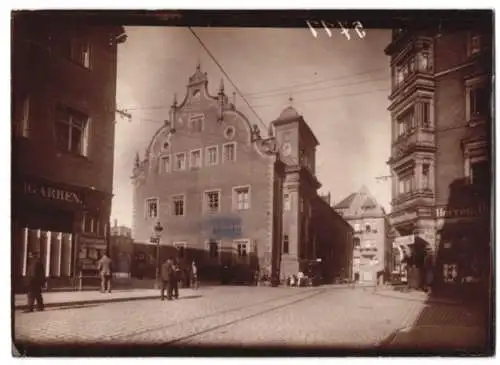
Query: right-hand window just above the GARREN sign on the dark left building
{"points": [[71, 131]]}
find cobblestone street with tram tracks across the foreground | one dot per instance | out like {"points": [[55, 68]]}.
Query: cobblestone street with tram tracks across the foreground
{"points": [[238, 316]]}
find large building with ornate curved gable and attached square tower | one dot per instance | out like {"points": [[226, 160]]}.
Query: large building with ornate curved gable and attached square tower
{"points": [[228, 197]]}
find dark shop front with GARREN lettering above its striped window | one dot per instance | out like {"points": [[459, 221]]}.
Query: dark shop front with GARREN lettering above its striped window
{"points": [[50, 218]]}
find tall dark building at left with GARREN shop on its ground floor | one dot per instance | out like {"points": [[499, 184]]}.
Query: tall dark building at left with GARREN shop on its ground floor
{"points": [[63, 113]]}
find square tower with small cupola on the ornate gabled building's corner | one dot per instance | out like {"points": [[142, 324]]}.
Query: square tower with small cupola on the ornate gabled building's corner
{"points": [[297, 149]]}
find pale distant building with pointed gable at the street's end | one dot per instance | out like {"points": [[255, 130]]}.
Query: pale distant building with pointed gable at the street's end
{"points": [[372, 251]]}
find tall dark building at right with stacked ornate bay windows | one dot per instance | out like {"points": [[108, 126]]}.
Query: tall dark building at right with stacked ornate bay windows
{"points": [[441, 153]]}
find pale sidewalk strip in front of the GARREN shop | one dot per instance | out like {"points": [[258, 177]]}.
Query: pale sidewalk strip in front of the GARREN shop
{"points": [[76, 298]]}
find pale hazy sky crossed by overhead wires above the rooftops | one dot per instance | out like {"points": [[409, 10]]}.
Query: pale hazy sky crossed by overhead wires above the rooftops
{"points": [[340, 86]]}
